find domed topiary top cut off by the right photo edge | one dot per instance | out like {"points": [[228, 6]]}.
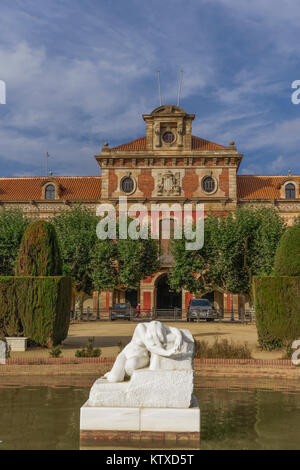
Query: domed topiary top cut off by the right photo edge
{"points": [[287, 257]]}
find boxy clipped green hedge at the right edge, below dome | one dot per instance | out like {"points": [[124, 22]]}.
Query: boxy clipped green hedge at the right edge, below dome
{"points": [[277, 306]]}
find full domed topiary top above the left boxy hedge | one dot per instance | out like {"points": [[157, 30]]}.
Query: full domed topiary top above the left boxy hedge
{"points": [[39, 253]]}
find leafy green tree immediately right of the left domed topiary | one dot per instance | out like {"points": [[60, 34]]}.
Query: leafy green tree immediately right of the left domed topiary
{"points": [[76, 232]]}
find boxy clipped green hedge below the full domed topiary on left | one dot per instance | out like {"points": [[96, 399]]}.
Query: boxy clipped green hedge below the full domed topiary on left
{"points": [[36, 307]]}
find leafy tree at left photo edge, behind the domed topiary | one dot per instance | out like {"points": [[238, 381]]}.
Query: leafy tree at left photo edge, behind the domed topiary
{"points": [[12, 227]]}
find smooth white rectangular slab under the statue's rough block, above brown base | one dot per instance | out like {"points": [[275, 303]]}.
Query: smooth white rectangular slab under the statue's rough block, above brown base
{"points": [[96, 418]]}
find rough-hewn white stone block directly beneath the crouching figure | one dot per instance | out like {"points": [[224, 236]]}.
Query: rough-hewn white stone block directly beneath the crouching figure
{"points": [[146, 388]]}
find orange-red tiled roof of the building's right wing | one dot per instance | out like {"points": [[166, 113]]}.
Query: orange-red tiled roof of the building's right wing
{"points": [[260, 187]]}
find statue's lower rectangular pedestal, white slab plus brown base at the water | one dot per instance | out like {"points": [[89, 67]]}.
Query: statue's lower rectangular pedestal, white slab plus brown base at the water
{"points": [[136, 425]]}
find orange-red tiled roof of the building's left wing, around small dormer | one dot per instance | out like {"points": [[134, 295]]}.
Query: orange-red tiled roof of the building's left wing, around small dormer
{"points": [[71, 187]]}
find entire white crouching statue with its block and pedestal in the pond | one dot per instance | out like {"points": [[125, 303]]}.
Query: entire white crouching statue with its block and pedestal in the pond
{"points": [[156, 405]]}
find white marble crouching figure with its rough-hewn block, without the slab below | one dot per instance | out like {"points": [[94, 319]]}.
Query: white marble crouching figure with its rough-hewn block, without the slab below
{"points": [[159, 362]]}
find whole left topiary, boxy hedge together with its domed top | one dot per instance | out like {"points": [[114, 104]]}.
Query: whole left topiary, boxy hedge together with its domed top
{"points": [[36, 302]]}
